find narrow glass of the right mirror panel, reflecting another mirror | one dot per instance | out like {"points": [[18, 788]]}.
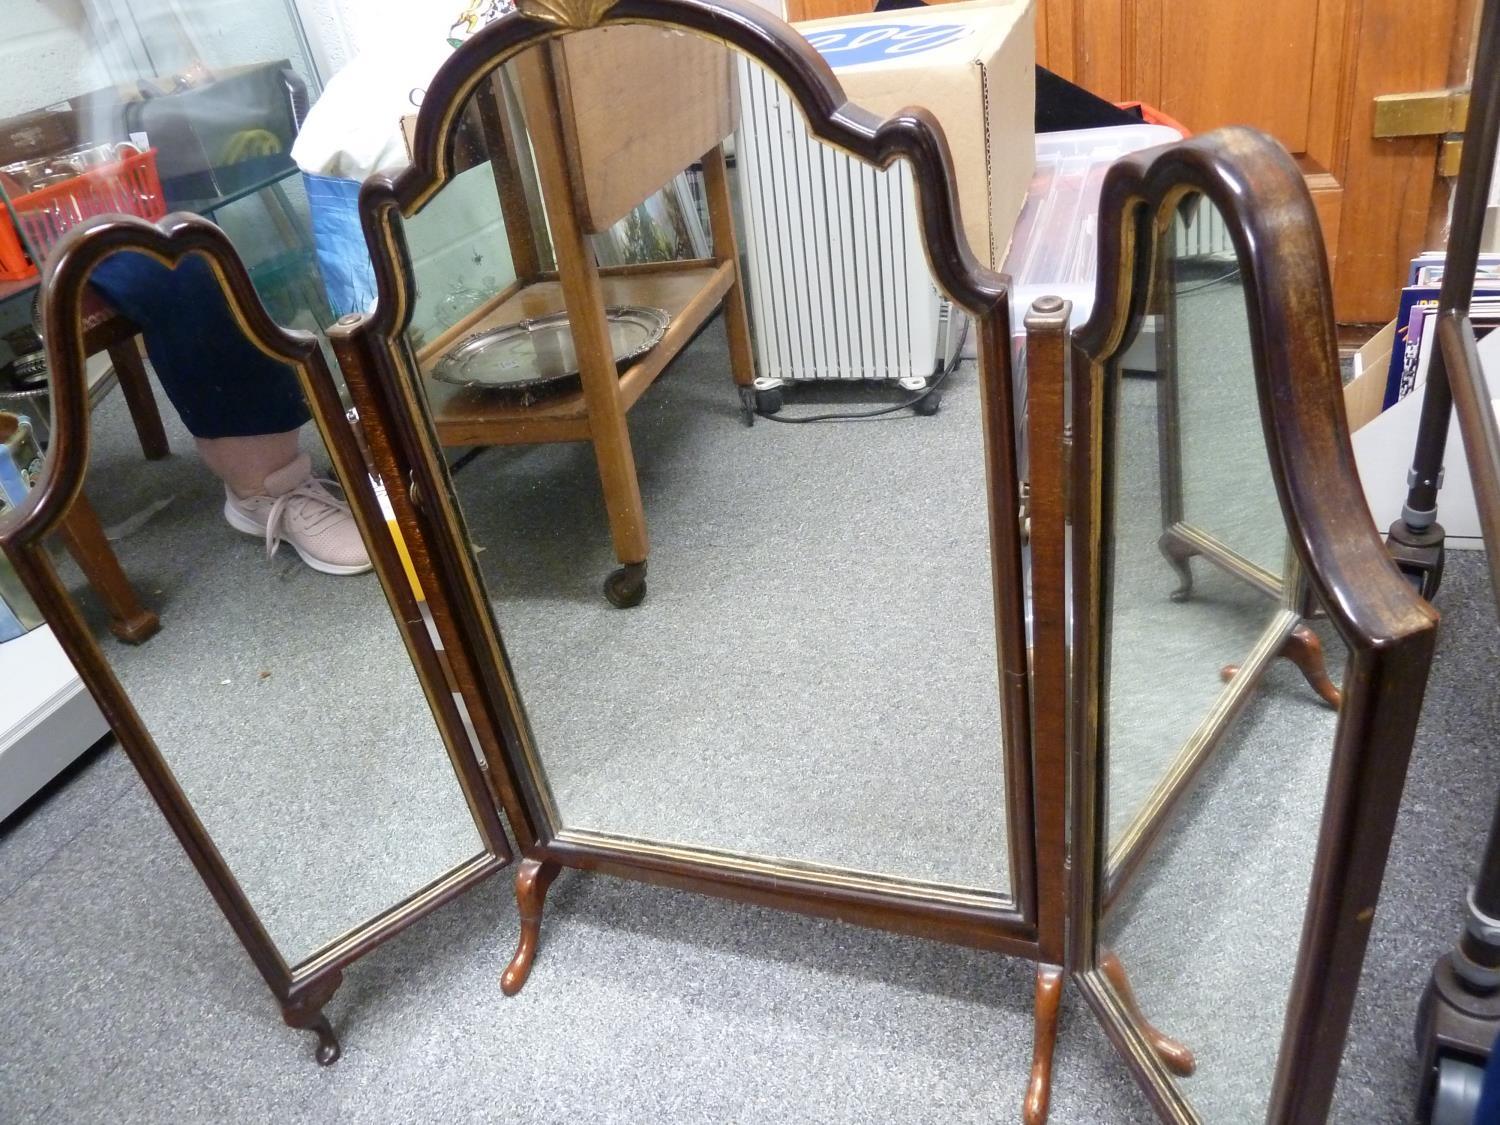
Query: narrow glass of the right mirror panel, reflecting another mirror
{"points": [[1216, 776]]}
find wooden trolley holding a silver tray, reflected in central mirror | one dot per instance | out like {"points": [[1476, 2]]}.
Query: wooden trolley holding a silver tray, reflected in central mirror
{"points": [[611, 116]]}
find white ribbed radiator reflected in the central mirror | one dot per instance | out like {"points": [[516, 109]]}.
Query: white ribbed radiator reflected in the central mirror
{"points": [[839, 284]]}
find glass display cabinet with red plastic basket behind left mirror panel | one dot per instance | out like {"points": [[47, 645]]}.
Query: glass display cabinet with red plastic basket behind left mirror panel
{"points": [[149, 107]]}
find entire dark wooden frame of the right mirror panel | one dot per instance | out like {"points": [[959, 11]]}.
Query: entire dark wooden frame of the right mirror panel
{"points": [[1388, 629]]}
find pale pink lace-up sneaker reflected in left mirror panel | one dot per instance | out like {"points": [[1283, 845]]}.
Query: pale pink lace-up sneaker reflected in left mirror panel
{"points": [[298, 508]]}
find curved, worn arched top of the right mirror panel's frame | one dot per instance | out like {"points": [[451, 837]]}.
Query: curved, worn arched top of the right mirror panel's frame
{"points": [[1271, 220]]}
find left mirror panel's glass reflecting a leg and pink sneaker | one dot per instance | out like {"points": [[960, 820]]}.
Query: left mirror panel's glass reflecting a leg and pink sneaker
{"points": [[278, 686]]}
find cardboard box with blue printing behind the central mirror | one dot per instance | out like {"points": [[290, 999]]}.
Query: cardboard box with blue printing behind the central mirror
{"points": [[973, 65]]}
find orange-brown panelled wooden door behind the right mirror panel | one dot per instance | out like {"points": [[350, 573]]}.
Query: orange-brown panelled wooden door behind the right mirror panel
{"points": [[1304, 73]]}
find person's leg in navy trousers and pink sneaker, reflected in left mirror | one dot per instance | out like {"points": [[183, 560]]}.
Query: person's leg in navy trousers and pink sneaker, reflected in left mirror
{"points": [[244, 409]]}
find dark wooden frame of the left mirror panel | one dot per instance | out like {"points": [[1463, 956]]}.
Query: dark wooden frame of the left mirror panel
{"points": [[302, 989]]}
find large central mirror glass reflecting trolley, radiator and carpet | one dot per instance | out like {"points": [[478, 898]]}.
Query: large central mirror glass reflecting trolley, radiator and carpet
{"points": [[811, 679]]}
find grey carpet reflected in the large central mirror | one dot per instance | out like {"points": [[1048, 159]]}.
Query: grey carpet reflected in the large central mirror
{"points": [[812, 673]]}
